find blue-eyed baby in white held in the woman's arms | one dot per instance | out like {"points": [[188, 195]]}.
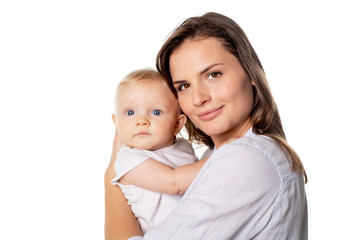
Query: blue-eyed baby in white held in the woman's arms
{"points": [[153, 167]]}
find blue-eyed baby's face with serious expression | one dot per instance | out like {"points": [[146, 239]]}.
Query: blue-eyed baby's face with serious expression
{"points": [[146, 115]]}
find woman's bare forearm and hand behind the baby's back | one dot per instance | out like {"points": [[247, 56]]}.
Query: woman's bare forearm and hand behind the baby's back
{"points": [[120, 222]]}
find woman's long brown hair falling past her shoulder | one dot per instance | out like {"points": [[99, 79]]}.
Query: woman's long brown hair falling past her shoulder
{"points": [[265, 115]]}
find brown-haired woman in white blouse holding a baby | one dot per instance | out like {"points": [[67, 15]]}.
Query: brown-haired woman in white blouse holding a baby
{"points": [[252, 186]]}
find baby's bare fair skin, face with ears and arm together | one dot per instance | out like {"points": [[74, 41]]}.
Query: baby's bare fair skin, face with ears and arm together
{"points": [[148, 117]]}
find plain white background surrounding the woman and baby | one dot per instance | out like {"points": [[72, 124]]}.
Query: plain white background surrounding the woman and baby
{"points": [[60, 62]]}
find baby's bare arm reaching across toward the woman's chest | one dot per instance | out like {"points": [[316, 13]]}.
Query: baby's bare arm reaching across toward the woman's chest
{"points": [[159, 177]]}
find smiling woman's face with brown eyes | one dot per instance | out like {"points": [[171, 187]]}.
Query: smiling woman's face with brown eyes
{"points": [[213, 89]]}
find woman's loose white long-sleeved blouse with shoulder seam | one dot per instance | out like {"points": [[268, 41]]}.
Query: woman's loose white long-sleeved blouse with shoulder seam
{"points": [[246, 190]]}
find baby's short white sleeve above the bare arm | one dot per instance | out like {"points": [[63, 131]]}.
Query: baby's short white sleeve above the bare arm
{"points": [[127, 159]]}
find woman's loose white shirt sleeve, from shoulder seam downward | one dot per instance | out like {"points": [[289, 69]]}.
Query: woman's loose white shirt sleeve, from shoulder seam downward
{"points": [[232, 198]]}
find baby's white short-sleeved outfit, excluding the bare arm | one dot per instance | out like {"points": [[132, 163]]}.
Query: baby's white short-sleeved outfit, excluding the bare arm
{"points": [[151, 208]]}
